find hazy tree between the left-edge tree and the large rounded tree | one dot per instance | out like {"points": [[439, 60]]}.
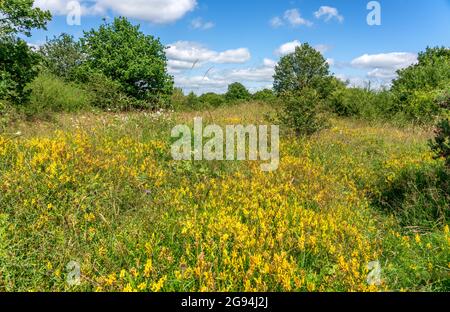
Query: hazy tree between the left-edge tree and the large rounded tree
{"points": [[62, 55]]}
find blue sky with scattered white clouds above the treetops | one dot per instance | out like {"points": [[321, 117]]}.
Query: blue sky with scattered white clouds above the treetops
{"points": [[212, 43]]}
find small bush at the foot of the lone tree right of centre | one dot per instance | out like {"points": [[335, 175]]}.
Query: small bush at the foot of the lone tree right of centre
{"points": [[300, 112]]}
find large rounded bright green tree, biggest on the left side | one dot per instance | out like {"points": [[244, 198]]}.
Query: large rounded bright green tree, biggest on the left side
{"points": [[136, 61]]}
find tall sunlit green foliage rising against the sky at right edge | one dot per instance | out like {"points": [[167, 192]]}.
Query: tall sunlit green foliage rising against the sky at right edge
{"points": [[417, 87]]}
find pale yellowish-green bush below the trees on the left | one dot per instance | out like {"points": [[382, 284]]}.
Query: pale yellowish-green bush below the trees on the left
{"points": [[52, 94]]}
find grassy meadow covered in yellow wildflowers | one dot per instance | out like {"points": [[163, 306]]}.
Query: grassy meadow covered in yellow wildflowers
{"points": [[102, 190]]}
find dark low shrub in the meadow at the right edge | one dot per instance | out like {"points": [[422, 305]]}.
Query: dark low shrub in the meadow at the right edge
{"points": [[418, 196]]}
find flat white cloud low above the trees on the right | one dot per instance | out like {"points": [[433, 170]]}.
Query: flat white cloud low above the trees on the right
{"points": [[392, 61]]}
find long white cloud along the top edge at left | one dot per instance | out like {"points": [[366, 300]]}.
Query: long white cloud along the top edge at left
{"points": [[155, 11]]}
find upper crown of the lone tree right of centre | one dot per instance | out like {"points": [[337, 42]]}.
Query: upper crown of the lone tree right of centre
{"points": [[305, 68]]}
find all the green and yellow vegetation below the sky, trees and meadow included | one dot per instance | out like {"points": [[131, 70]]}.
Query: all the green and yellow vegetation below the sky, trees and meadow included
{"points": [[86, 174]]}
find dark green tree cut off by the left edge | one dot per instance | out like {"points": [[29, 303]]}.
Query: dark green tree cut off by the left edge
{"points": [[17, 61]]}
